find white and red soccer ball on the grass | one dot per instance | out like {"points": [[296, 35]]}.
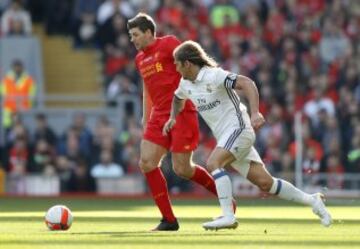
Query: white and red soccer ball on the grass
{"points": [[58, 217]]}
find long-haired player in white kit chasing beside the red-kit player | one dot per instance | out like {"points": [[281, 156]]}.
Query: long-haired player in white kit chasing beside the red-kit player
{"points": [[212, 90]]}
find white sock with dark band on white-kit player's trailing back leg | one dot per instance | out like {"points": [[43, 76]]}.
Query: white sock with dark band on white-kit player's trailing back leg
{"points": [[285, 190]]}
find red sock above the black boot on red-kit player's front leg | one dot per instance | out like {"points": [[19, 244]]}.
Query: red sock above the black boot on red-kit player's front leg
{"points": [[158, 186]]}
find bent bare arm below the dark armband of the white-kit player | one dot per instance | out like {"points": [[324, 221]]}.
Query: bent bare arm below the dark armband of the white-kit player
{"points": [[251, 92]]}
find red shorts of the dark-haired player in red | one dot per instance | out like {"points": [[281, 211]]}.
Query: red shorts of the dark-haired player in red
{"points": [[184, 136]]}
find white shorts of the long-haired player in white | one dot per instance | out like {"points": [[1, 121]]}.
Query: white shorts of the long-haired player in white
{"points": [[240, 144]]}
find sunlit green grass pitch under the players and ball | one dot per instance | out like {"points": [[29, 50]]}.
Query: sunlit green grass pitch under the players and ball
{"points": [[125, 223]]}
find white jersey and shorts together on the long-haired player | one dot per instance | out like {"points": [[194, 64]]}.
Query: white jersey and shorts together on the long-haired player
{"points": [[217, 102]]}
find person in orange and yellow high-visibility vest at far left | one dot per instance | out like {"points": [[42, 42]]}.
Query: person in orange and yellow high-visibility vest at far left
{"points": [[18, 90]]}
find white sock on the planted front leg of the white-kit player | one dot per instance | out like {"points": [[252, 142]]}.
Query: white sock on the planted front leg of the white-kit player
{"points": [[224, 191]]}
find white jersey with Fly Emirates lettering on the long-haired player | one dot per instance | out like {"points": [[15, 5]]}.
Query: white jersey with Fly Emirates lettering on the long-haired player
{"points": [[216, 101]]}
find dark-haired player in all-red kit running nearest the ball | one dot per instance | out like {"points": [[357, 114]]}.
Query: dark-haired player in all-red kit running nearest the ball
{"points": [[156, 65]]}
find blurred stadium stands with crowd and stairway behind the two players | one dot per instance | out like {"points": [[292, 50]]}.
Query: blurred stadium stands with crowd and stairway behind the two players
{"points": [[71, 96]]}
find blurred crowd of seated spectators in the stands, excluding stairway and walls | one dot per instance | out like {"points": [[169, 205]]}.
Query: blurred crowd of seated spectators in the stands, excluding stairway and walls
{"points": [[304, 56]]}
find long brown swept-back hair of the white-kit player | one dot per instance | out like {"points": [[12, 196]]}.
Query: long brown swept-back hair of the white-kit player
{"points": [[193, 52]]}
